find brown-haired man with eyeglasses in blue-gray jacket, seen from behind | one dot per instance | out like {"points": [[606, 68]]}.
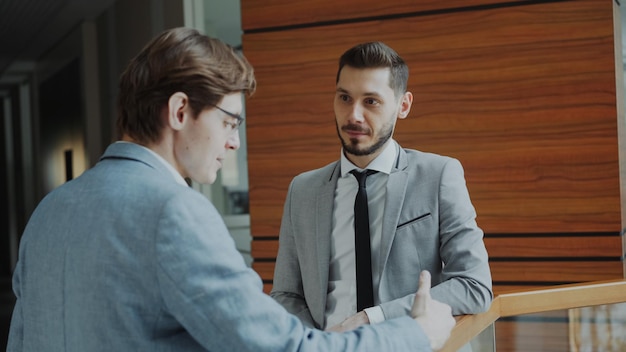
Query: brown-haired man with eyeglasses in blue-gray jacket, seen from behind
{"points": [[127, 257]]}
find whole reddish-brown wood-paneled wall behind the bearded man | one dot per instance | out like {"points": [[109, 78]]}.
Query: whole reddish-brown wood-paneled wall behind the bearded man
{"points": [[524, 95]]}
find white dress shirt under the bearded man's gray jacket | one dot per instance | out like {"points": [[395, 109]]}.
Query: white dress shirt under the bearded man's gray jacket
{"points": [[341, 299]]}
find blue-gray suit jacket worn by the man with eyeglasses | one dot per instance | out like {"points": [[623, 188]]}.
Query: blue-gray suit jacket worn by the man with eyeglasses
{"points": [[124, 258]]}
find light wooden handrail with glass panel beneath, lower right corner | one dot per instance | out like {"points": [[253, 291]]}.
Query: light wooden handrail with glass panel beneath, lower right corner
{"points": [[580, 317]]}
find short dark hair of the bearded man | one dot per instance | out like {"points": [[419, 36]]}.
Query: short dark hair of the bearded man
{"points": [[377, 55]]}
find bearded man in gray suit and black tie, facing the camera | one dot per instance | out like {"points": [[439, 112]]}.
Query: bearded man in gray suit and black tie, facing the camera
{"points": [[420, 213]]}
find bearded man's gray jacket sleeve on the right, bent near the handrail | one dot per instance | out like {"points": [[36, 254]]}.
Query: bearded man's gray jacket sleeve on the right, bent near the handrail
{"points": [[464, 282]]}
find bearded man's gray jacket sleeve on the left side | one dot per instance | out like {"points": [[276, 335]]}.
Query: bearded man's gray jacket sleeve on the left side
{"points": [[287, 289]]}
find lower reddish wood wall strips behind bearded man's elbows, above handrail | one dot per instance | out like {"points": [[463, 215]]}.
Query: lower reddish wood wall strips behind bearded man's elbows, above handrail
{"points": [[529, 262]]}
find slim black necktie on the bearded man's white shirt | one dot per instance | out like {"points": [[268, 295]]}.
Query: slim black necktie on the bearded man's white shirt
{"points": [[364, 289]]}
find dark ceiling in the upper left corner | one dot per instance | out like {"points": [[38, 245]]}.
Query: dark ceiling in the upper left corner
{"points": [[28, 28]]}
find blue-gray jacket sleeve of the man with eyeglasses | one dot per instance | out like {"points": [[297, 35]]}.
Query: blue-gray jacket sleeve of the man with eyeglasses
{"points": [[206, 286]]}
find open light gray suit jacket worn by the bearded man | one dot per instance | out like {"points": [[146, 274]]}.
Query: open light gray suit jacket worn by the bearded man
{"points": [[429, 224]]}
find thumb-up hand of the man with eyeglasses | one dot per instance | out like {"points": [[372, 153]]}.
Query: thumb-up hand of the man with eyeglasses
{"points": [[434, 317]]}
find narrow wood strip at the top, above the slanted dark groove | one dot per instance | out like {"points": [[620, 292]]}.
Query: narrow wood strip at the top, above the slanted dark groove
{"points": [[261, 14]]}
